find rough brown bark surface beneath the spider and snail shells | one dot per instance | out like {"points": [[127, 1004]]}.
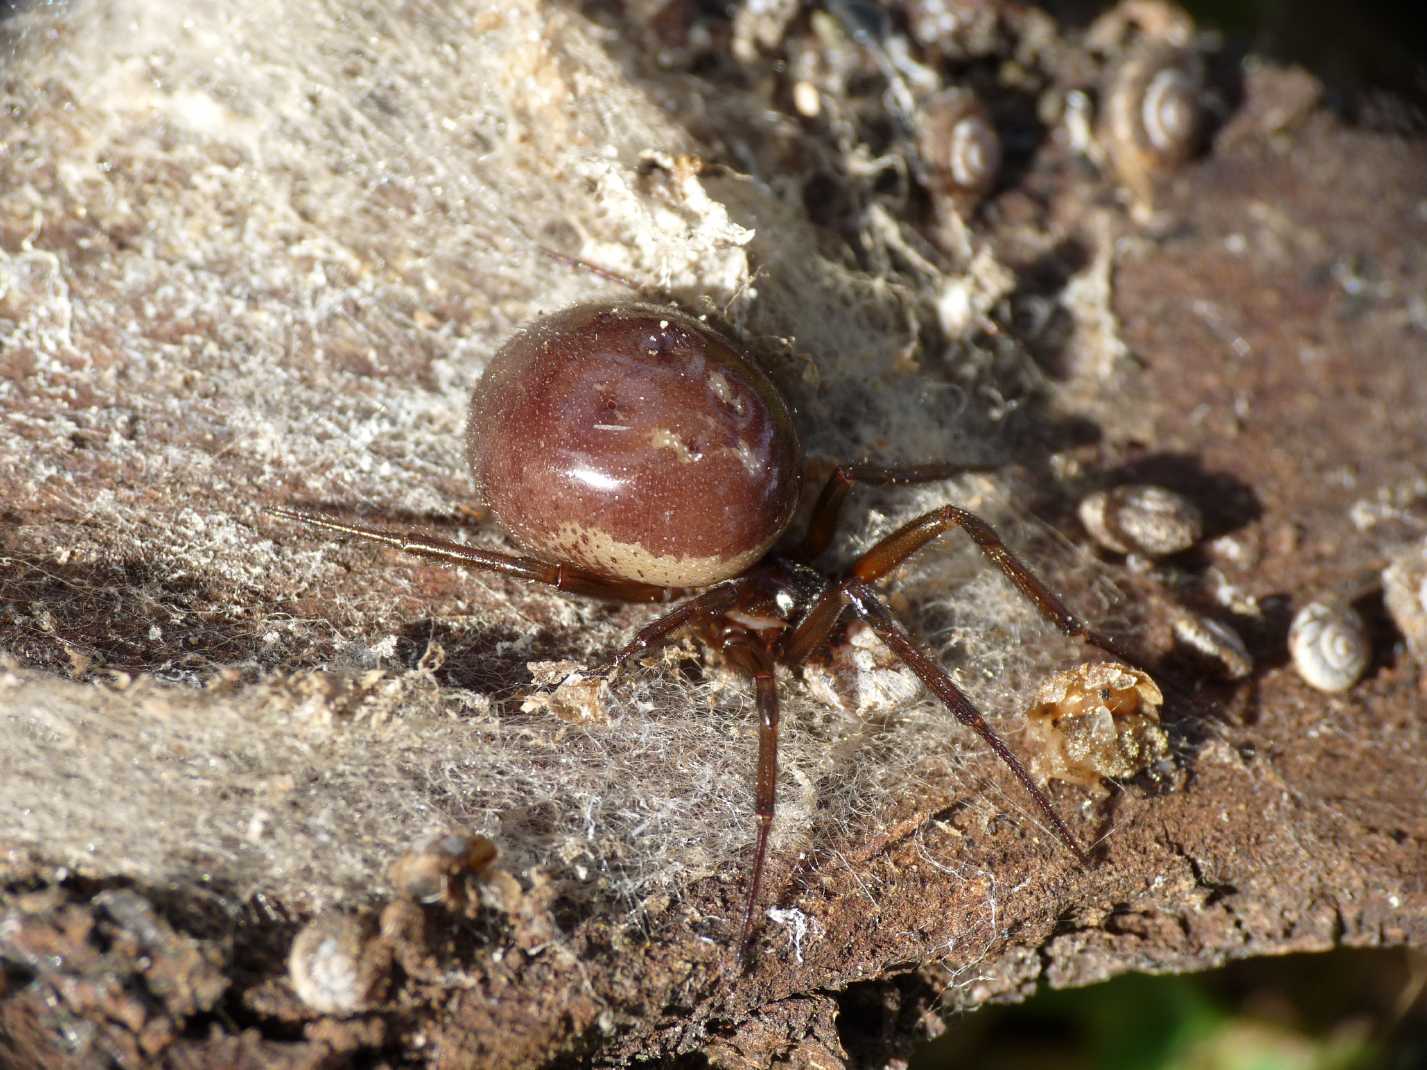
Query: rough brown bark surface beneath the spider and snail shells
{"points": [[245, 266]]}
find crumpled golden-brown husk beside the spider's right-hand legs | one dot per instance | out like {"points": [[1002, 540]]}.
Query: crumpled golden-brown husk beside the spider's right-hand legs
{"points": [[1094, 721]]}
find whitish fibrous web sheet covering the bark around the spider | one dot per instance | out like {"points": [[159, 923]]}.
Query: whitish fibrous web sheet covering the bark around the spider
{"points": [[245, 269]]}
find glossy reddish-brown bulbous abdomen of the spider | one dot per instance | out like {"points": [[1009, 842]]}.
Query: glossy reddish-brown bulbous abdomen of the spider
{"points": [[637, 443]]}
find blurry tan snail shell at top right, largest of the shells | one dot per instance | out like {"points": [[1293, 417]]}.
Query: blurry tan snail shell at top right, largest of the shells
{"points": [[1152, 115]]}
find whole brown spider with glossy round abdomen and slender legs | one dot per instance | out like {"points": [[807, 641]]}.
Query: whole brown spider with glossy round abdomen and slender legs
{"points": [[636, 454]]}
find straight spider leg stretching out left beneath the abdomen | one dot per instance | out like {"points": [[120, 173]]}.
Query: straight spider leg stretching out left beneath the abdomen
{"points": [[564, 577]]}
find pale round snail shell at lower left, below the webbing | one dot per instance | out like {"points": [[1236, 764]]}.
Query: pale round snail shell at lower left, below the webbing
{"points": [[339, 965]]}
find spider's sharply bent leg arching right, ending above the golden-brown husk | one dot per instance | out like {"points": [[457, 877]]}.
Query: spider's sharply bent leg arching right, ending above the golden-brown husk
{"points": [[904, 543]]}
